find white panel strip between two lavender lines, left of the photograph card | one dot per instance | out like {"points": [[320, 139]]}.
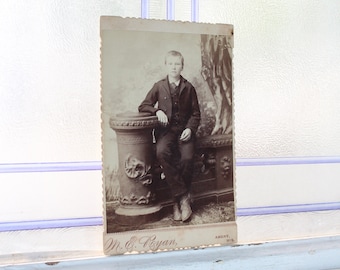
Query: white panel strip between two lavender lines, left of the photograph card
{"points": [[51, 195]]}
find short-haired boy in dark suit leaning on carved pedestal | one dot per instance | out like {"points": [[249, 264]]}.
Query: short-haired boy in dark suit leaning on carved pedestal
{"points": [[179, 115]]}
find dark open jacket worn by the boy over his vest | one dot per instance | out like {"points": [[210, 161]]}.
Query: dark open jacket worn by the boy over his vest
{"points": [[189, 111]]}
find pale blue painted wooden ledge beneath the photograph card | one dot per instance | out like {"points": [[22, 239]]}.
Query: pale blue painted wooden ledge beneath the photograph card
{"points": [[317, 253]]}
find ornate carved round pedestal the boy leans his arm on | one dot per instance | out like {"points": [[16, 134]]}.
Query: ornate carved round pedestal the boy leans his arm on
{"points": [[134, 138]]}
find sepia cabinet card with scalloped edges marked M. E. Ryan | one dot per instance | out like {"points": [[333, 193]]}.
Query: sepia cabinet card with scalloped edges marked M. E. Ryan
{"points": [[167, 135]]}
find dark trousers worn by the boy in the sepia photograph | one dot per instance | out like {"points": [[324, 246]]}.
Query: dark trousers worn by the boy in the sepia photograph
{"points": [[176, 159]]}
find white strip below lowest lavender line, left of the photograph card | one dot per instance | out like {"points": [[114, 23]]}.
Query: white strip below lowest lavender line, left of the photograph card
{"points": [[50, 245]]}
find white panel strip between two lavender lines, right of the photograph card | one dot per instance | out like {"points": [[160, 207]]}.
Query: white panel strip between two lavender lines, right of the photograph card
{"points": [[277, 185]]}
